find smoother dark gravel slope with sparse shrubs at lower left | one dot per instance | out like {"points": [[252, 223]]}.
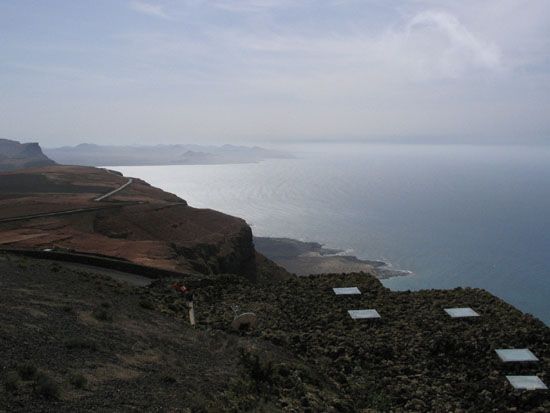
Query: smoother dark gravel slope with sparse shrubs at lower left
{"points": [[77, 340]]}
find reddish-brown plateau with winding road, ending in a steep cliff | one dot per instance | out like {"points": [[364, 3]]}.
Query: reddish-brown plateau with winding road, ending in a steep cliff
{"points": [[141, 224]]}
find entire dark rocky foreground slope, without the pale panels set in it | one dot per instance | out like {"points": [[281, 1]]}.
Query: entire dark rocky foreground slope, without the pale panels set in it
{"points": [[79, 339]]}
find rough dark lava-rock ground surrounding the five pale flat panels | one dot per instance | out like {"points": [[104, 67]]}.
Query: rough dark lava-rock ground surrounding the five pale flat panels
{"points": [[414, 359]]}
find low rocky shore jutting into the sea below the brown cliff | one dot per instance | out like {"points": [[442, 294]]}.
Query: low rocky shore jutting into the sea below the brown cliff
{"points": [[308, 258]]}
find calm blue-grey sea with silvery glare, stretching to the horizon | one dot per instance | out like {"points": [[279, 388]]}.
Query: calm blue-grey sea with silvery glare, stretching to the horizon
{"points": [[475, 216]]}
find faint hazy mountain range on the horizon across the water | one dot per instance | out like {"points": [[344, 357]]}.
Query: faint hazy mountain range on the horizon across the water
{"points": [[97, 155]]}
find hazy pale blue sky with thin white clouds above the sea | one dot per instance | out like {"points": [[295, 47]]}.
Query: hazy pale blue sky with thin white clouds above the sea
{"points": [[221, 71]]}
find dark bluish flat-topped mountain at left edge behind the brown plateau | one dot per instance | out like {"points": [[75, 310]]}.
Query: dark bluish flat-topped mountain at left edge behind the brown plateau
{"points": [[15, 155]]}
